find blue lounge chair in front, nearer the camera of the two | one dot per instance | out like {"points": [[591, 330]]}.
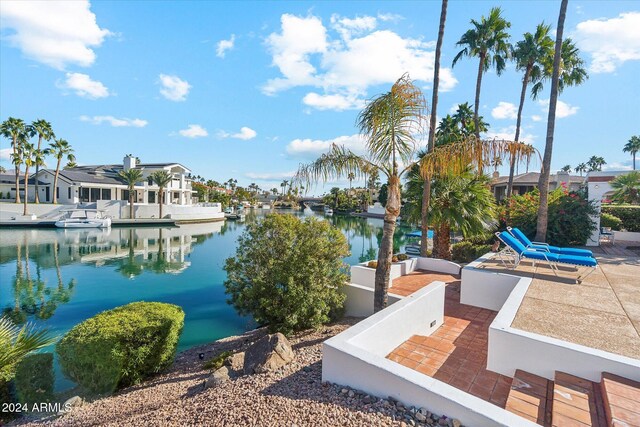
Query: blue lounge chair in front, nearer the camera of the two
{"points": [[518, 252]]}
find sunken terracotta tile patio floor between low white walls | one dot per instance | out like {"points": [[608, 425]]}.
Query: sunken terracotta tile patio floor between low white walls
{"points": [[457, 352]]}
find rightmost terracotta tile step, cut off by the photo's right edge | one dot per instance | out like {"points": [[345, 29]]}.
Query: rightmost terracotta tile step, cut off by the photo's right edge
{"points": [[621, 398]]}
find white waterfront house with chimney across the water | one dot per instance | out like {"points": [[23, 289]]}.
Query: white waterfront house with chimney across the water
{"points": [[84, 184]]}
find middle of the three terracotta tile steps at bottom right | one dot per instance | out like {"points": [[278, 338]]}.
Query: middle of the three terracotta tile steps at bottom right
{"points": [[576, 402]]}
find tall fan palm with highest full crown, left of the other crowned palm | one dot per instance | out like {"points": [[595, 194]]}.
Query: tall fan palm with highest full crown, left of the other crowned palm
{"points": [[488, 40]]}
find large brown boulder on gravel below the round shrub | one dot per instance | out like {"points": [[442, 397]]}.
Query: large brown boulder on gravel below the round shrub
{"points": [[268, 354]]}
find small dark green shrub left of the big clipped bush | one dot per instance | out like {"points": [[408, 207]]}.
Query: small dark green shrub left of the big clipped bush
{"points": [[34, 379]]}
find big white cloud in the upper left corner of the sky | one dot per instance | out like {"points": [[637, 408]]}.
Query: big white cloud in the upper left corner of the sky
{"points": [[55, 33]]}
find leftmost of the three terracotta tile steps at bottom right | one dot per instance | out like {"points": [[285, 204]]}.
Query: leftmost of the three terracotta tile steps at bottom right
{"points": [[529, 397]]}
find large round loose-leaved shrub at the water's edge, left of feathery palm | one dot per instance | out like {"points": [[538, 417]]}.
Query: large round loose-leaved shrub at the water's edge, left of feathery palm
{"points": [[288, 273]]}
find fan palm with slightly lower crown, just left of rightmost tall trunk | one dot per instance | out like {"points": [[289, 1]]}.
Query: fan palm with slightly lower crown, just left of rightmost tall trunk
{"points": [[530, 54]]}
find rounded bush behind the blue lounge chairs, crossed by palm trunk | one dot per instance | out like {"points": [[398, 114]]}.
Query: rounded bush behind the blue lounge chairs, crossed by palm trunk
{"points": [[569, 217]]}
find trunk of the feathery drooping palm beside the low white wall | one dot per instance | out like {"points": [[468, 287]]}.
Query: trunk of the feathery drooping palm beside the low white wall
{"points": [[385, 252]]}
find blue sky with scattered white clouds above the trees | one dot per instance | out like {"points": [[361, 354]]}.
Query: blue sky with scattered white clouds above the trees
{"points": [[249, 90]]}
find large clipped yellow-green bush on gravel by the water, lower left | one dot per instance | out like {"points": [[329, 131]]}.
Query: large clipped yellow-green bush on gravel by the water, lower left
{"points": [[122, 346]]}
